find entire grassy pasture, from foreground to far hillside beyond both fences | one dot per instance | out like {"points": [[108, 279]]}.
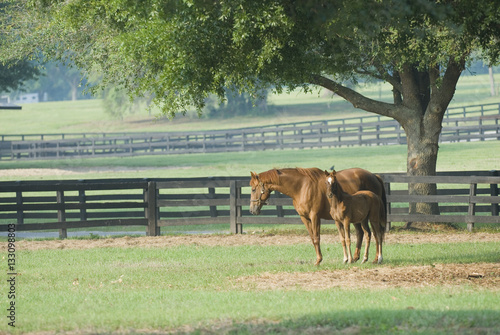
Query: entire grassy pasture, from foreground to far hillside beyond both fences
{"points": [[260, 282]]}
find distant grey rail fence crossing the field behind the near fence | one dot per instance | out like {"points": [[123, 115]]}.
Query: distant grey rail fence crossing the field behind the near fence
{"points": [[480, 122]]}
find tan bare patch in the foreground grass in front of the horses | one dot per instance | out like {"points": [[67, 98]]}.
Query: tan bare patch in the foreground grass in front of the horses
{"points": [[485, 275]]}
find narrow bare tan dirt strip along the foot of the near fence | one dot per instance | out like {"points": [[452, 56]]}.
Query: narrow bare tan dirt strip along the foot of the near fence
{"points": [[244, 239]]}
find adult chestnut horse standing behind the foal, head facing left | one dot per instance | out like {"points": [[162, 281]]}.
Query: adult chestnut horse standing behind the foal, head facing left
{"points": [[307, 188]]}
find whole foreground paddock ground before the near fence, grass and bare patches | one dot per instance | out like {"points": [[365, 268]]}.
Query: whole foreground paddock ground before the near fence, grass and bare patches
{"points": [[256, 284]]}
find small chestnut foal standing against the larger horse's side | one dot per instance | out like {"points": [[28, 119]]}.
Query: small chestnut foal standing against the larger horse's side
{"points": [[356, 208]]}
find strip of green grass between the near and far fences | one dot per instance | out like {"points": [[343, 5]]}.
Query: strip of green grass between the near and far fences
{"points": [[461, 156]]}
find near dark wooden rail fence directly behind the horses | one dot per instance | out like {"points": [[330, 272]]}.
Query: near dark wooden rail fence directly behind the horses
{"points": [[41, 205]]}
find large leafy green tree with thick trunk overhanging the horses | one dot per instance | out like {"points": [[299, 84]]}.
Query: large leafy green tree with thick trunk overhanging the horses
{"points": [[184, 50]]}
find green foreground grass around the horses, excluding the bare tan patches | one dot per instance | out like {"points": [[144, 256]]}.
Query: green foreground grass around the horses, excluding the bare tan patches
{"points": [[195, 287]]}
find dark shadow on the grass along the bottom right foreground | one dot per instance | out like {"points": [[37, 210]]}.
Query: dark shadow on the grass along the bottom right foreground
{"points": [[406, 321]]}
